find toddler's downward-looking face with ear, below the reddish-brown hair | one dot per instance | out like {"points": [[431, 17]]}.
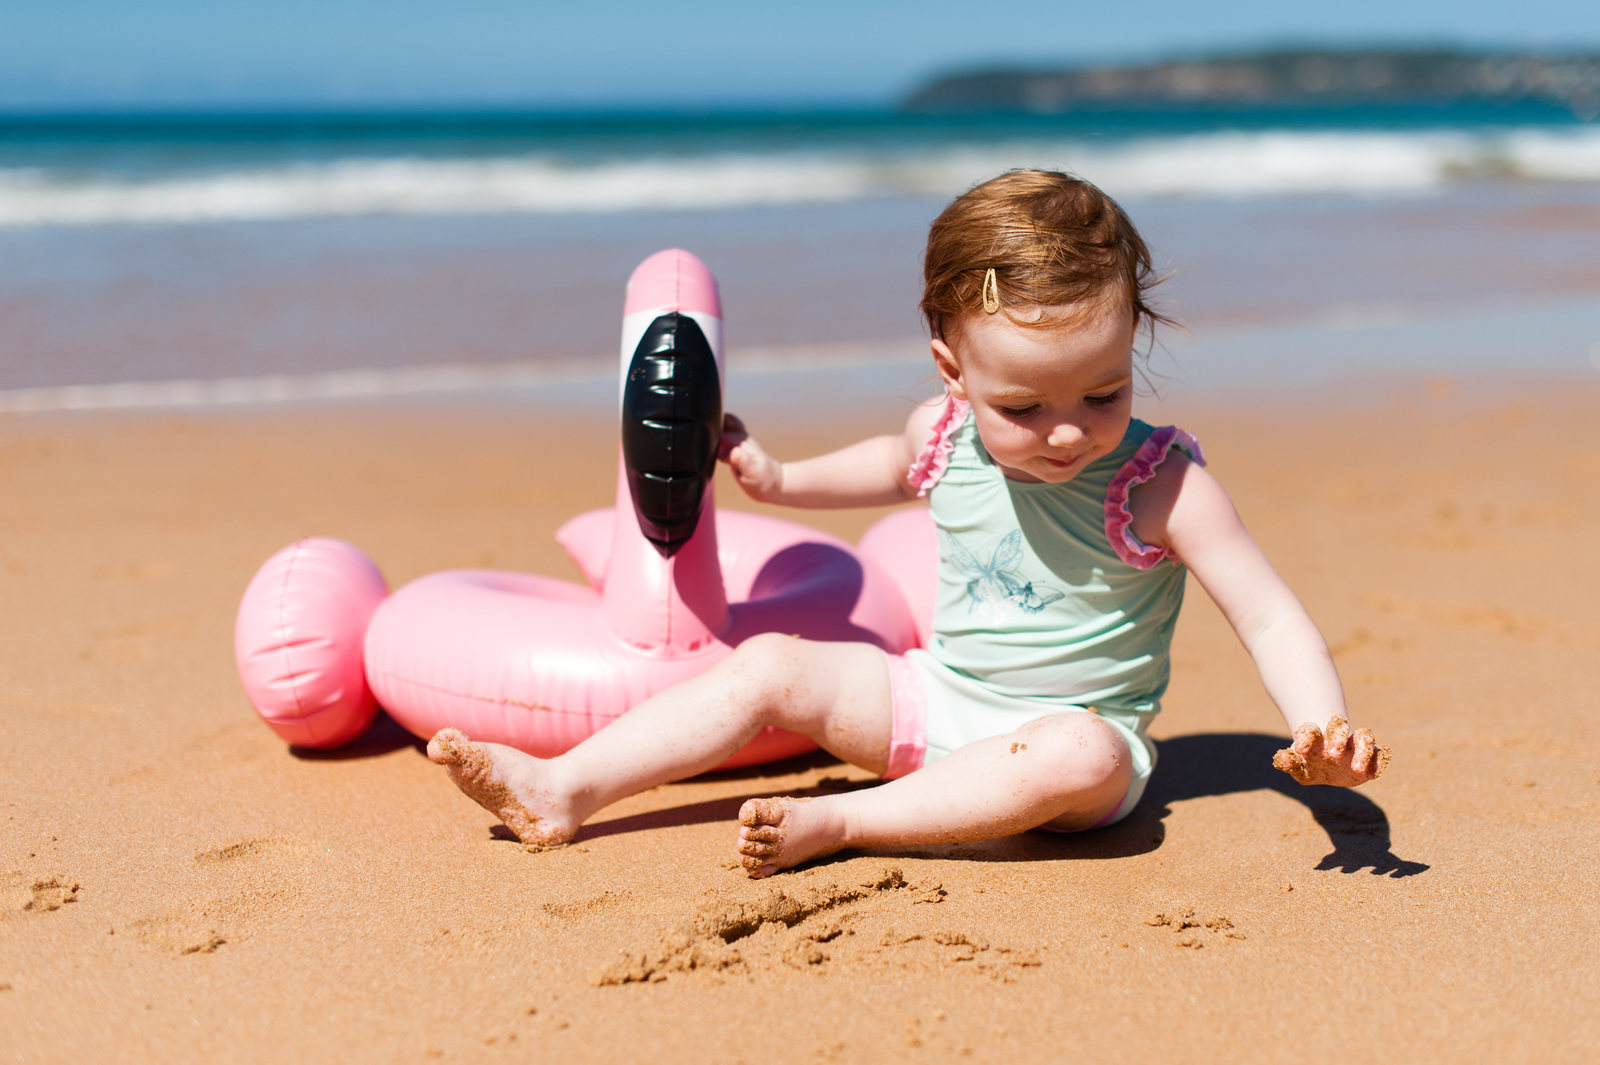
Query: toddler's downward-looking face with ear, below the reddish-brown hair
{"points": [[1050, 401]]}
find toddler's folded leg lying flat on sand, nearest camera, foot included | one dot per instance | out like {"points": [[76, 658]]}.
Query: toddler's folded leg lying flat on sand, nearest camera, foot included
{"points": [[1066, 770]]}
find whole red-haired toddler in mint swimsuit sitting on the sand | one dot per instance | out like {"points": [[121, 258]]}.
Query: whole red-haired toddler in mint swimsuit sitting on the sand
{"points": [[1066, 530]]}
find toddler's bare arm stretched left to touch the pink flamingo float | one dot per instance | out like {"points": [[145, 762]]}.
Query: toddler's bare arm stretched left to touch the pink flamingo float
{"points": [[866, 474]]}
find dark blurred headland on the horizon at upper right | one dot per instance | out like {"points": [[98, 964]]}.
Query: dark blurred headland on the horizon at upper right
{"points": [[1282, 76]]}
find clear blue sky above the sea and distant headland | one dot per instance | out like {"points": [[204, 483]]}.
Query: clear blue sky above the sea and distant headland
{"points": [[220, 54]]}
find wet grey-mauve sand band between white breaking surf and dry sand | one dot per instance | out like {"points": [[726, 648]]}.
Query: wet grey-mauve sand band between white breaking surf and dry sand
{"points": [[393, 295]]}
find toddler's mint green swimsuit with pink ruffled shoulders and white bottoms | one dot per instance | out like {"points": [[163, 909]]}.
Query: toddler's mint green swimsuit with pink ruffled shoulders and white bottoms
{"points": [[1047, 602]]}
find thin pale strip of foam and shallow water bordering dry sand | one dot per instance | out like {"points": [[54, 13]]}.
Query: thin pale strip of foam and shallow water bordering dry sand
{"points": [[1337, 353]]}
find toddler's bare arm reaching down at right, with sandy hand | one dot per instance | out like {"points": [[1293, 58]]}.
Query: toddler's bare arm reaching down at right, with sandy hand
{"points": [[1186, 511]]}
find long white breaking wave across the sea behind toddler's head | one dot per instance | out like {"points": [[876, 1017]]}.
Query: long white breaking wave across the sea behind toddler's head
{"points": [[1263, 164]]}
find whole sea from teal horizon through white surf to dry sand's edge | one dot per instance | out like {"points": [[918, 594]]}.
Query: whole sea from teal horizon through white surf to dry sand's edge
{"points": [[180, 260]]}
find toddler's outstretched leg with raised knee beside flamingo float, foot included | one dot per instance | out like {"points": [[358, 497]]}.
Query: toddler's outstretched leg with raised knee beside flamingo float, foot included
{"points": [[836, 693]]}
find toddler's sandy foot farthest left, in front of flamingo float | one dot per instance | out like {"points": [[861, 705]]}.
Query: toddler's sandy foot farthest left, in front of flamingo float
{"points": [[510, 784]]}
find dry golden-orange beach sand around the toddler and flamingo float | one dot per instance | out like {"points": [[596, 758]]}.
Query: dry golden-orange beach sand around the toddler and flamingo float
{"points": [[177, 885]]}
